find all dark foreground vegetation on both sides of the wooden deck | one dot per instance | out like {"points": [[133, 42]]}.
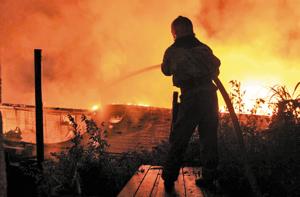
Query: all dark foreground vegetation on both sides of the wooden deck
{"points": [[273, 155]]}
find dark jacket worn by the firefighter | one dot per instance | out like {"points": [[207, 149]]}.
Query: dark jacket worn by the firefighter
{"points": [[191, 63]]}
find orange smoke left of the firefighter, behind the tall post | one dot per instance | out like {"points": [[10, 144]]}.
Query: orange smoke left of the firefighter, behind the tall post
{"points": [[85, 44]]}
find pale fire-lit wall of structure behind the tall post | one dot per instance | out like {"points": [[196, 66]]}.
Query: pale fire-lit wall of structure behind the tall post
{"points": [[20, 133]]}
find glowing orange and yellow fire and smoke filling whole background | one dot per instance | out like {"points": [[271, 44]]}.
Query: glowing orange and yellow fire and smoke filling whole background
{"points": [[87, 44]]}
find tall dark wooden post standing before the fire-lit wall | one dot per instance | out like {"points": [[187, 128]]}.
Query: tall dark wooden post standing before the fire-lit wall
{"points": [[39, 129]]}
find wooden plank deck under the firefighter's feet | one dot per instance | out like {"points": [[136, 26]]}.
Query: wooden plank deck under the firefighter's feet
{"points": [[147, 181]]}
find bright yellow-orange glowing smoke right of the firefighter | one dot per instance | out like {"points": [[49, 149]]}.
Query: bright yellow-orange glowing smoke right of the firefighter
{"points": [[259, 41]]}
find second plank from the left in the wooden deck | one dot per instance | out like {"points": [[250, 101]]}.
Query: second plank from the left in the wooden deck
{"points": [[148, 183]]}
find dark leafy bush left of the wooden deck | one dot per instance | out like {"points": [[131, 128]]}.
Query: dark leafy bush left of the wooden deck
{"points": [[86, 170]]}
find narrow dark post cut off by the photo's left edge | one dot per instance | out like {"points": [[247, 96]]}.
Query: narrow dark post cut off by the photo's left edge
{"points": [[3, 180]]}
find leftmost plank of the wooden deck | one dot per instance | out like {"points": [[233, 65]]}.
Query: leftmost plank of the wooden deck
{"points": [[134, 183]]}
